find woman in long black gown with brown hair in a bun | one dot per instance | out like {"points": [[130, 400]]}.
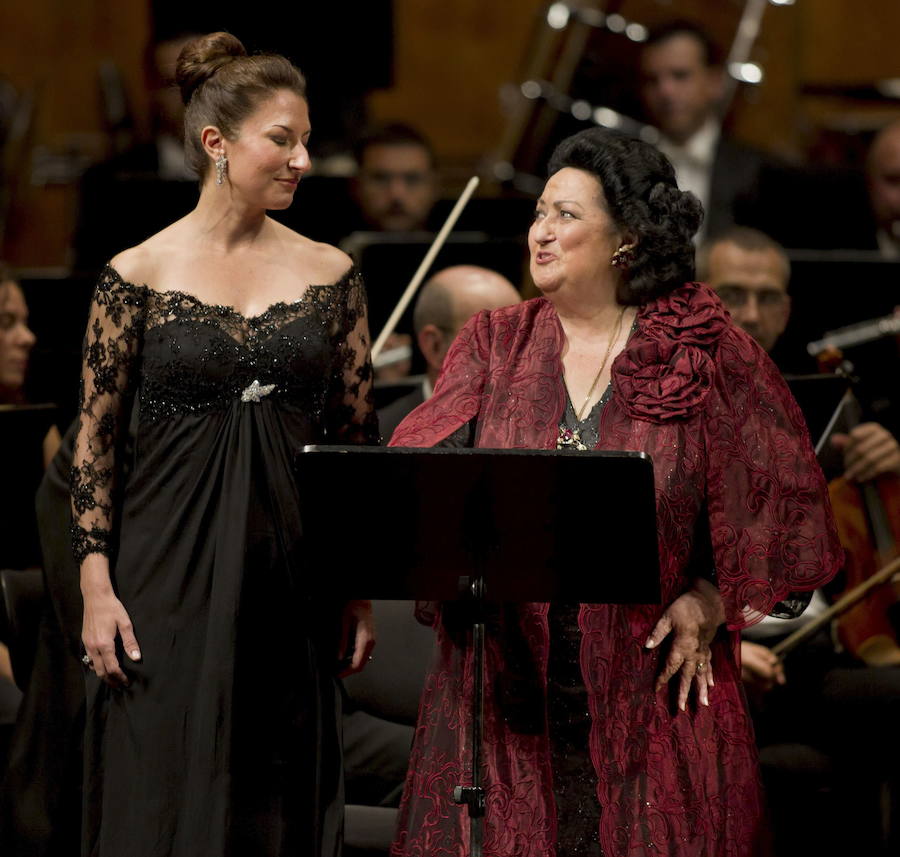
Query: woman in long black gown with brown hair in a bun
{"points": [[219, 346]]}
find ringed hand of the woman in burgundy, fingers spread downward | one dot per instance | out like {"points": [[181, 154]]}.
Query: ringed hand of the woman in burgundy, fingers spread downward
{"points": [[693, 618]]}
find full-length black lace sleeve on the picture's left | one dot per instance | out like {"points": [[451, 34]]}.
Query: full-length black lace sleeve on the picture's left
{"points": [[110, 347]]}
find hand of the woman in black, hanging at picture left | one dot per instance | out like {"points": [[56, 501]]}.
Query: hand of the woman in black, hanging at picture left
{"points": [[104, 618]]}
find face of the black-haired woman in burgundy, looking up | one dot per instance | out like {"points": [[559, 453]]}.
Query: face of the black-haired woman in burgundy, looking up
{"points": [[573, 238]]}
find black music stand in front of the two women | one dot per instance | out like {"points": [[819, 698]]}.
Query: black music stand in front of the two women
{"points": [[480, 525]]}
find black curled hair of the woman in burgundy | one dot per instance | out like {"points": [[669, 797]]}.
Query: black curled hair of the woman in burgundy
{"points": [[642, 197]]}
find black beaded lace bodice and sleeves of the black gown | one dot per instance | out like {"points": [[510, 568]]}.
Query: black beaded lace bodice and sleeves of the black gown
{"points": [[175, 355]]}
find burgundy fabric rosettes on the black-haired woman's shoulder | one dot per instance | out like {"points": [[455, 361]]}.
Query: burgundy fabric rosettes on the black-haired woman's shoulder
{"points": [[667, 370]]}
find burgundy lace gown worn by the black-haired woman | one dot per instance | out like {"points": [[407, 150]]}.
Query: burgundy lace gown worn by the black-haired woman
{"points": [[732, 459]]}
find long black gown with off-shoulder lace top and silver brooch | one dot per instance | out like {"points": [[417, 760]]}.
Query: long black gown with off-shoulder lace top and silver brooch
{"points": [[226, 741]]}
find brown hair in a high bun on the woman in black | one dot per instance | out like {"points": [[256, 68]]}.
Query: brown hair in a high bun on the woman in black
{"points": [[221, 85]]}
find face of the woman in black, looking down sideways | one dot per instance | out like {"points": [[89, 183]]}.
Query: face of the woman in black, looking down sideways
{"points": [[268, 156]]}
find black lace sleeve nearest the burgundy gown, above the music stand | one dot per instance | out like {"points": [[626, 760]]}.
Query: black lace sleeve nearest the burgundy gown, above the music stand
{"points": [[351, 408]]}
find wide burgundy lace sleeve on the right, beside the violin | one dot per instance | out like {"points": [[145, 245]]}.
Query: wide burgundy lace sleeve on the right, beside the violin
{"points": [[770, 519]]}
